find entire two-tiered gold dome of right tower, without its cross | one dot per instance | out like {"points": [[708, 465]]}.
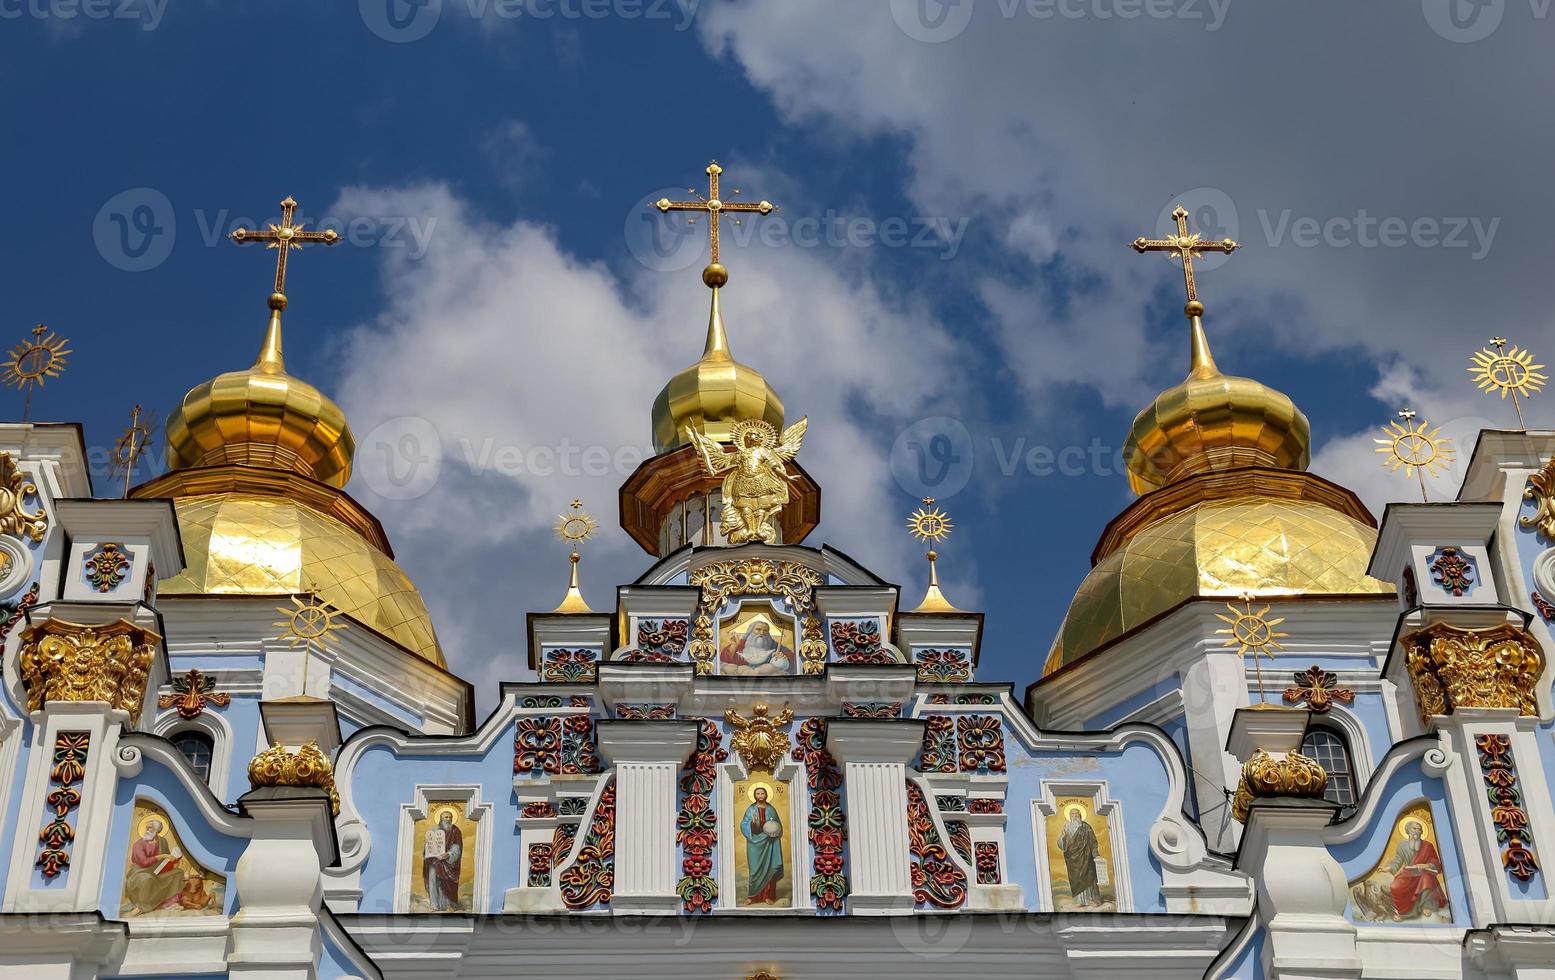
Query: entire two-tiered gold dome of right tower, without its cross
{"points": [[1226, 509]]}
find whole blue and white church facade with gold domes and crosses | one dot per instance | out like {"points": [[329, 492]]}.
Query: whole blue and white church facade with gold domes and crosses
{"points": [[1274, 737]]}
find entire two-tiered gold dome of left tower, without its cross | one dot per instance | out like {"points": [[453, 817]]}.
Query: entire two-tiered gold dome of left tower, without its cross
{"points": [[256, 464]]}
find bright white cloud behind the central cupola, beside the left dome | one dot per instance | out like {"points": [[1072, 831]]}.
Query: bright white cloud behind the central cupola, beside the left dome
{"points": [[515, 351]]}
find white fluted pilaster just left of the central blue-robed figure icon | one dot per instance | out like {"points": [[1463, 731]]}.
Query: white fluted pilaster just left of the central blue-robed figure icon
{"points": [[648, 758]]}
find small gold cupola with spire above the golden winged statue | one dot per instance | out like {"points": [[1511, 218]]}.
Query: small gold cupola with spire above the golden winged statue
{"points": [[716, 391]]}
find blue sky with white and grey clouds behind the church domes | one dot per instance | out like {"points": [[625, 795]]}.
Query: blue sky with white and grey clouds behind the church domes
{"points": [[957, 206]]}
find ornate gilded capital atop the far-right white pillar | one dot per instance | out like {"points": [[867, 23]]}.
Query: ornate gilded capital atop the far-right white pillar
{"points": [[1455, 668]]}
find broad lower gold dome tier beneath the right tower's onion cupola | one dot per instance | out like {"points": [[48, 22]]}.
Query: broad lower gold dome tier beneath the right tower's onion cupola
{"points": [[1262, 533]]}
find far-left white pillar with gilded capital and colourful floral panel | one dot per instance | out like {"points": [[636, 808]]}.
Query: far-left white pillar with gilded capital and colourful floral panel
{"points": [[85, 684]]}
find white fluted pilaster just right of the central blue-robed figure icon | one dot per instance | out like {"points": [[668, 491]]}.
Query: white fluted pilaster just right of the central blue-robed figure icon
{"points": [[875, 757]]}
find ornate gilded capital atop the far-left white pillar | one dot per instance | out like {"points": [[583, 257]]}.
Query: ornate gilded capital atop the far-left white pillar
{"points": [[66, 662]]}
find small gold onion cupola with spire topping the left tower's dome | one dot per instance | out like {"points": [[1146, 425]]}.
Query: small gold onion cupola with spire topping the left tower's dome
{"points": [[264, 418]]}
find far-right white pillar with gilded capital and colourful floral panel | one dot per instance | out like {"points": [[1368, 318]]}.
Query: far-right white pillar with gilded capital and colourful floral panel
{"points": [[1478, 687]]}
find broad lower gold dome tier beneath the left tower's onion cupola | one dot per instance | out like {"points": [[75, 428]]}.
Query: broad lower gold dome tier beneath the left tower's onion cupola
{"points": [[239, 544]]}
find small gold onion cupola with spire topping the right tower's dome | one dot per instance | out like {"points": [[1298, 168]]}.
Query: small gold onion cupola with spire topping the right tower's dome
{"points": [[1215, 422]]}
